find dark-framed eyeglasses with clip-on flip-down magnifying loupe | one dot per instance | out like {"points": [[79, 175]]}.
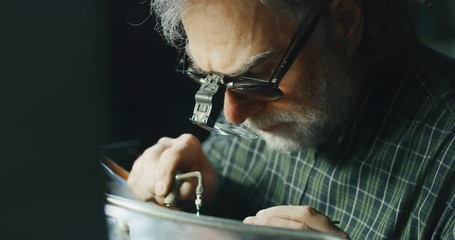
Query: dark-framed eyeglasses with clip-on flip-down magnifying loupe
{"points": [[243, 86]]}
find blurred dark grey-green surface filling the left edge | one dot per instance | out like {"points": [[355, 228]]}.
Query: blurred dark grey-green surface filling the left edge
{"points": [[55, 111]]}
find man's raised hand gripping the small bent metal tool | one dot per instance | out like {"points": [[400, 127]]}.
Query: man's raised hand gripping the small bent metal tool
{"points": [[153, 173]]}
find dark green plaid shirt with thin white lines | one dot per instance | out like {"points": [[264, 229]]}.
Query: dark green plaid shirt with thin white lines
{"points": [[391, 176]]}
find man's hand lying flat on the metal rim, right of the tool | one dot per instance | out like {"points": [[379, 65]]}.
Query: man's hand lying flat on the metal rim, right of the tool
{"points": [[295, 217]]}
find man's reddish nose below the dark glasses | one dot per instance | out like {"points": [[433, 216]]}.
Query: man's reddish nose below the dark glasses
{"points": [[238, 109]]}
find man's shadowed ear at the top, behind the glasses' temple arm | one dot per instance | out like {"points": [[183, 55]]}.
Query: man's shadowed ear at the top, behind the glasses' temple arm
{"points": [[347, 19]]}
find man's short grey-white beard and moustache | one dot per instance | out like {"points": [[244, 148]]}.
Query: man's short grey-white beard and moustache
{"points": [[304, 127]]}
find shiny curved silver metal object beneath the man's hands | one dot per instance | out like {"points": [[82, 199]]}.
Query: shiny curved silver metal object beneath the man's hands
{"points": [[130, 219]]}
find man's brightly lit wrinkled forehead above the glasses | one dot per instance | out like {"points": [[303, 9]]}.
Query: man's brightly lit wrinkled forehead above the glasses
{"points": [[224, 35]]}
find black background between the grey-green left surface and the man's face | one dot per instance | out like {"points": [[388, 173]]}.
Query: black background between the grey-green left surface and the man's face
{"points": [[151, 99]]}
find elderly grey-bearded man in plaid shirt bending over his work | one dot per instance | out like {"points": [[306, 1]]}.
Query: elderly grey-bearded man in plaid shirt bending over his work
{"points": [[354, 118]]}
